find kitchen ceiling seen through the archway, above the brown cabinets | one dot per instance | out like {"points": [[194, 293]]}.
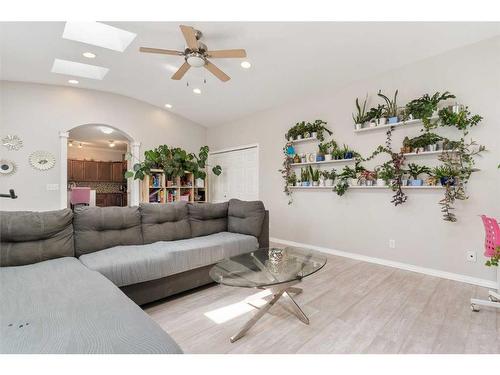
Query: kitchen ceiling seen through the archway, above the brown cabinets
{"points": [[91, 136]]}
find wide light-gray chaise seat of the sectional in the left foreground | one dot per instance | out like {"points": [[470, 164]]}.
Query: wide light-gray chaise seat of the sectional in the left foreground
{"points": [[60, 306]]}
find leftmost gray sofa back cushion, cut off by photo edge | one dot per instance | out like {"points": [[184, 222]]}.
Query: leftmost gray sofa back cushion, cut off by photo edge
{"points": [[30, 237]]}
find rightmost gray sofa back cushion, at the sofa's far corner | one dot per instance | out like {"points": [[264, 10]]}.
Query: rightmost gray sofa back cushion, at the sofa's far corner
{"points": [[245, 217]]}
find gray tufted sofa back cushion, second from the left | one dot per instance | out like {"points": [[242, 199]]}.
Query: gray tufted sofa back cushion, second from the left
{"points": [[98, 228]]}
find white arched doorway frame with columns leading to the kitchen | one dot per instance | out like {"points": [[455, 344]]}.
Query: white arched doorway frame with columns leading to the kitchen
{"points": [[133, 147]]}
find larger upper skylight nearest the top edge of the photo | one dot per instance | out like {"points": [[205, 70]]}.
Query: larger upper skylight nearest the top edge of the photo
{"points": [[98, 34]]}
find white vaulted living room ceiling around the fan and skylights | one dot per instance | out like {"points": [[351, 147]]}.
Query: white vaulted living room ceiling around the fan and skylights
{"points": [[289, 60]]}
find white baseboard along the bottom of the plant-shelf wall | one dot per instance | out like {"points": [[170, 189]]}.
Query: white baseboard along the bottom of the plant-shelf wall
{"points": [[404, 266]]}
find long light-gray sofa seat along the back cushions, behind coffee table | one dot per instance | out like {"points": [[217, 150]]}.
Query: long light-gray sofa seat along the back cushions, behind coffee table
{"points": [[126, 265]]}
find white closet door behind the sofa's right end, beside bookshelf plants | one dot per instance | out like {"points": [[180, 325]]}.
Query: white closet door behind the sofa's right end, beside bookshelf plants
{"points": [[240, 175]]}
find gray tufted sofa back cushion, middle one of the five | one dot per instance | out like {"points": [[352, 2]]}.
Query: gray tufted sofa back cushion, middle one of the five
{"points": [[165, 222]]}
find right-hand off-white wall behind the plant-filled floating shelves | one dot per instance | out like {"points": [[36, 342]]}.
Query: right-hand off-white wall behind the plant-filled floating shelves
{"points": [[363, 221]]}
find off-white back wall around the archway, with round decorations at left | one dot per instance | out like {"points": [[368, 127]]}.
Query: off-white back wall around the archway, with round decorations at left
{"points": [[37, 113]]}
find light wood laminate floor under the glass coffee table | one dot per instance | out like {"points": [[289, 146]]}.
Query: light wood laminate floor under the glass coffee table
{"points": [[353, 307]]}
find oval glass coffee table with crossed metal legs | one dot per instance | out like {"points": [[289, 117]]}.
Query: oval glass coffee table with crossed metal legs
{"points": [[276, 270]]}
